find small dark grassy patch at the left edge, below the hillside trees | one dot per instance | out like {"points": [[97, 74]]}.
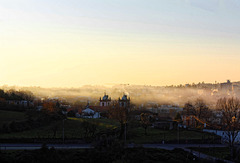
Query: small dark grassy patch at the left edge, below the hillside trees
{"points": [[8, 116]]}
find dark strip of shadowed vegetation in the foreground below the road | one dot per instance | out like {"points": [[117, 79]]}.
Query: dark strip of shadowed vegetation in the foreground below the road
{"points": [[115, 153]]}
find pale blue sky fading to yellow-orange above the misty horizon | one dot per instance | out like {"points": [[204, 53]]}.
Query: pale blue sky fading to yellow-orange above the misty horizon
{"points": [[70, 43]]}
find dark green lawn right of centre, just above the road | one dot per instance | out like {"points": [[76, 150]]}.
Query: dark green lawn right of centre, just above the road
{"points": [[137, 135]]}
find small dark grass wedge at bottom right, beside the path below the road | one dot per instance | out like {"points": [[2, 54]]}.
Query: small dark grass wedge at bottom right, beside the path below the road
{"points": [[219, 152]]}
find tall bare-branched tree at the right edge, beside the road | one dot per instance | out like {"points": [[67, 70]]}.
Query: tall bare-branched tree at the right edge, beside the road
{"points": [[230, 108]]}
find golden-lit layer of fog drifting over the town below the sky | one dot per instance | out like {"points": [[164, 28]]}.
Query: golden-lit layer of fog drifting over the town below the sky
{"points": [[139, 94]]}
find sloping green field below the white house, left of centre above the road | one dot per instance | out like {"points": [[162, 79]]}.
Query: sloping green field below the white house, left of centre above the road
{"points": [[72, 129]]}
